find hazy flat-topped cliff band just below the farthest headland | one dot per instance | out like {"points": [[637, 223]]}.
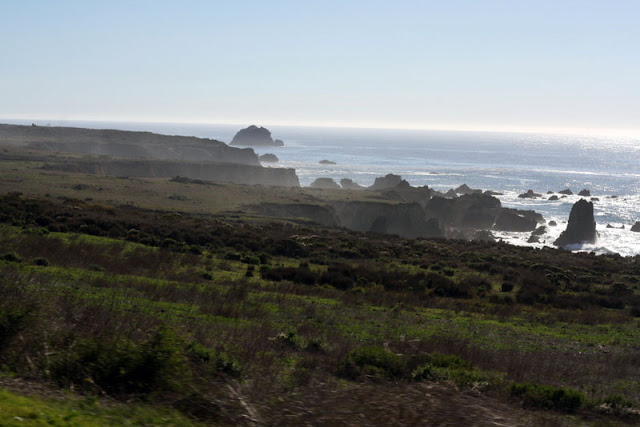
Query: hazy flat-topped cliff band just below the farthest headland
{"points": [[207, 171]]}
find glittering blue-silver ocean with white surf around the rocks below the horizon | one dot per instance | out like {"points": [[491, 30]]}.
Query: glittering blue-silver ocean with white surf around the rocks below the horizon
{"points": [[510, 163]]}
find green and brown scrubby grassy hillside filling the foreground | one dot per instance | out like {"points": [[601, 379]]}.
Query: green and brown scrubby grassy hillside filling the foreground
{"points": [[229, 321]]}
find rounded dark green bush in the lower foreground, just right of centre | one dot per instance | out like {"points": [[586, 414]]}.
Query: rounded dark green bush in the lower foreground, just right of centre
{"points": [[372, 361]]}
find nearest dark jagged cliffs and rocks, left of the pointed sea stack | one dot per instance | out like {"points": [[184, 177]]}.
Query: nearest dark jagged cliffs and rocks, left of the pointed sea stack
{"points": [[414, 212]]}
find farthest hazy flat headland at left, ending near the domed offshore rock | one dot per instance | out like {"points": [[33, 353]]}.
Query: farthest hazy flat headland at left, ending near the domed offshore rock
{"points": [[120, 143]]}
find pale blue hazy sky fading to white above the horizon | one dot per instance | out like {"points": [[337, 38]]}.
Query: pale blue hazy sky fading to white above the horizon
{"points": [[432, 64]]}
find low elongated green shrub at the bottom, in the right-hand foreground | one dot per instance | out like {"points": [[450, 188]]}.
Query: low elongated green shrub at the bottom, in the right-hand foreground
{"points": [[548, 397]]}
